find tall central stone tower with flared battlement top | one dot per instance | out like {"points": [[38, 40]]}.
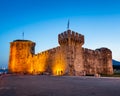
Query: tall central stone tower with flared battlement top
{"points": [[72, 42]]}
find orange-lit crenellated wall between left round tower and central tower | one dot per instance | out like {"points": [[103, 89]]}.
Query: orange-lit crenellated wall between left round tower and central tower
{"points": [[51, 61]]}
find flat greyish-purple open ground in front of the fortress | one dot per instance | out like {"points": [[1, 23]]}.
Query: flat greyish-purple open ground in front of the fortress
{"points": [[41, 85]]}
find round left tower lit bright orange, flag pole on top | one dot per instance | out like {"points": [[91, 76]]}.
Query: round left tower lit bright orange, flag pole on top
{"points": [[19, 53]]}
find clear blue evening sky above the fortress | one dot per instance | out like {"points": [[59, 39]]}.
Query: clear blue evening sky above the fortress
{"points": [[43, 20]]}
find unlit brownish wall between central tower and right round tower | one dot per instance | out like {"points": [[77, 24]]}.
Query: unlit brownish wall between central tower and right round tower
{"points": [[91, 61]]}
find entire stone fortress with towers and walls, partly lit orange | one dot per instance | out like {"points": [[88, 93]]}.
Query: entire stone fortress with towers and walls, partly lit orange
{"points": [[70, 58]]}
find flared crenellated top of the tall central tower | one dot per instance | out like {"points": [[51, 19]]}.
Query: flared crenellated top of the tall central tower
{"points": [[70, 38]]}
